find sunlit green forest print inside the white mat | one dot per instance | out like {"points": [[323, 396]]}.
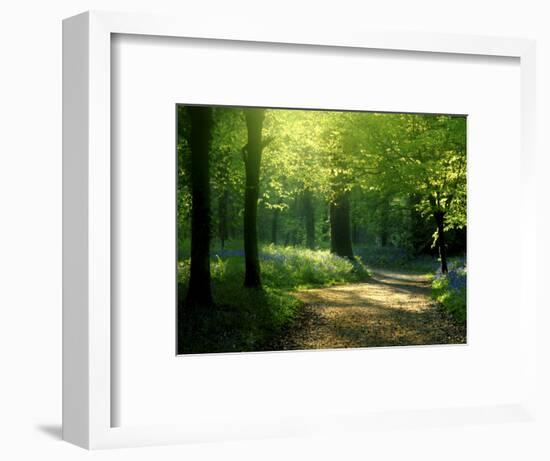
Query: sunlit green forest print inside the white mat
{"points": [[304, 229]]}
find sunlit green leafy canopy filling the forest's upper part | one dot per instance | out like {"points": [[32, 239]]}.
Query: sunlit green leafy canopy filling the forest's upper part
{"points": [[399, 168]]}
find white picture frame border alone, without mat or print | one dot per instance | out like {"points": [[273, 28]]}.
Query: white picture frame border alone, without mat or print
{"points": [[88, 364]]}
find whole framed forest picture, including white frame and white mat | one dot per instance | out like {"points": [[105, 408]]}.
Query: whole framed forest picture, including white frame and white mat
{"points": [[257, 221]]}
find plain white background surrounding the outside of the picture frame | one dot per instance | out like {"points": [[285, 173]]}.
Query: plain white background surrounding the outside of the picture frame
{"points": [[30, 230]]}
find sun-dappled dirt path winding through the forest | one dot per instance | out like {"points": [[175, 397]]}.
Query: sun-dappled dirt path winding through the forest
{"points": [[391, 309]]}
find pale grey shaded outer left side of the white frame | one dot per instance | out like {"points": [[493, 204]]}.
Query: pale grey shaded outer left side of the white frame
{"points": [[75, 140]]}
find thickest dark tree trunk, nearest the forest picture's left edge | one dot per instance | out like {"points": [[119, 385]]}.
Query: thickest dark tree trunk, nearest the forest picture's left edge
{"points": [[199, 294]]}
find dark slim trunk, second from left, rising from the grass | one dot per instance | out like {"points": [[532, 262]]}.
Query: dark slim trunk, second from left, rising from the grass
{"points": [[252, 154]]}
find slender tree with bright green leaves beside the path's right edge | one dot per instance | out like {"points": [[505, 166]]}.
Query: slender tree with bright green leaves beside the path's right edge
{"points": [[423, 157]]}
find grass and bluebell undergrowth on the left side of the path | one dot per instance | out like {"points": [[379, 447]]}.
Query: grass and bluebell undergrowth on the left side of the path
{"points": [[254, 320]]}
